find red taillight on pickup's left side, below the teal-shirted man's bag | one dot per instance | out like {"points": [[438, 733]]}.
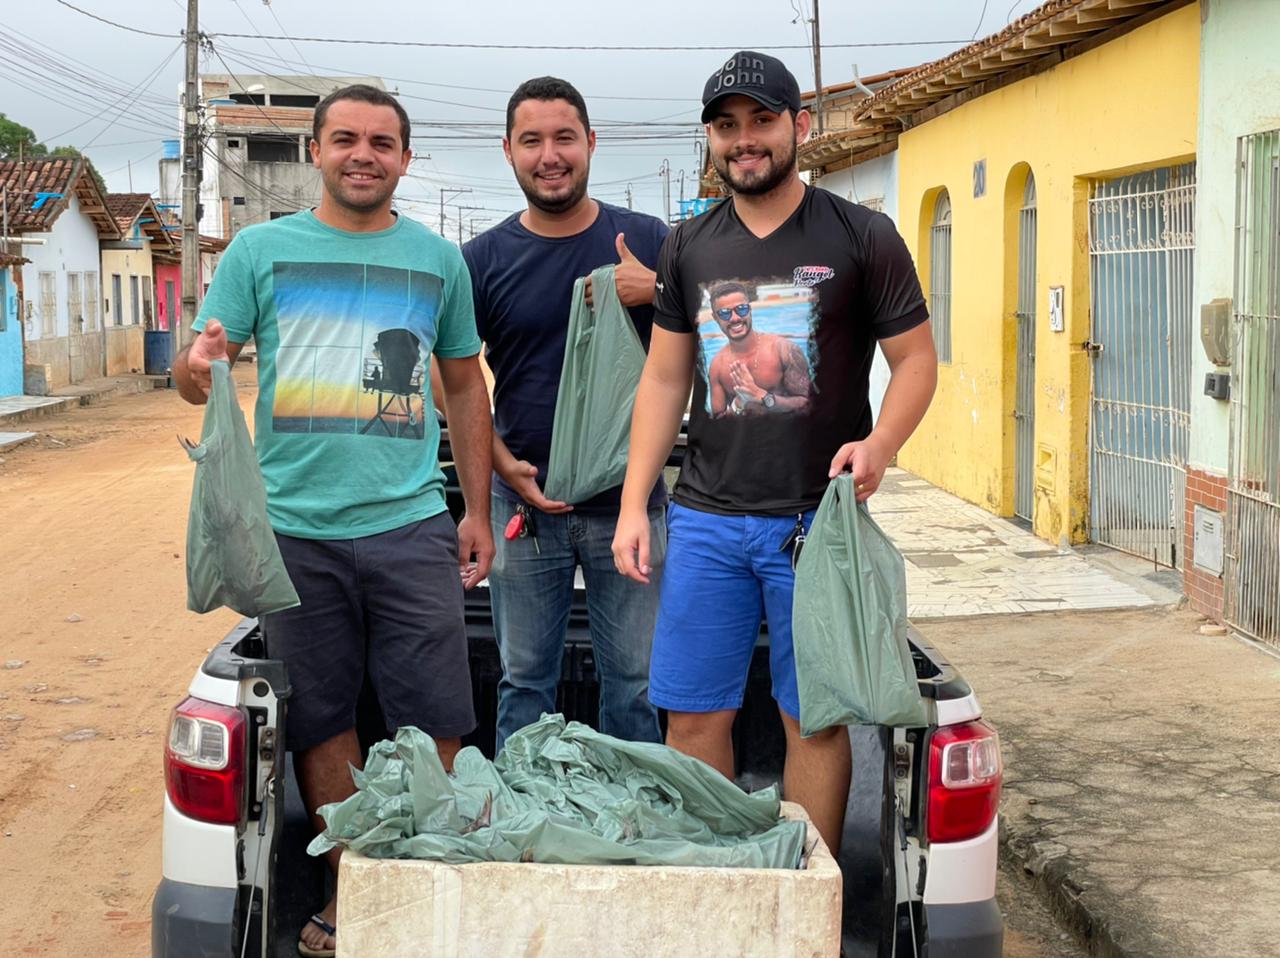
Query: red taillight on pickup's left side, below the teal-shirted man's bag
{"points": [[204, 761]]}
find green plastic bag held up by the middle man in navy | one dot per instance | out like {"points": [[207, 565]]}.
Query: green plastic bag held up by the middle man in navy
{"points": [[604, 359]]}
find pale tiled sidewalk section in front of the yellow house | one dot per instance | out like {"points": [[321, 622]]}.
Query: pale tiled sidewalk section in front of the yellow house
{"points": [[963, 562]]}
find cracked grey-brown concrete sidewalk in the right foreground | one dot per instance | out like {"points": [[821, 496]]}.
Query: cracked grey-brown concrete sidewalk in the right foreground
{"points": [[1142, 777]]}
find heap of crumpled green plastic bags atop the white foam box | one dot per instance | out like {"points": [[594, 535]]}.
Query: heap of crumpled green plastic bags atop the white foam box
{"points": [[559, 793]]}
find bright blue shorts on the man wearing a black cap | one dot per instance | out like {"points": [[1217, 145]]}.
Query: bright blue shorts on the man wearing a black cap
{"points": [[724, 574]]}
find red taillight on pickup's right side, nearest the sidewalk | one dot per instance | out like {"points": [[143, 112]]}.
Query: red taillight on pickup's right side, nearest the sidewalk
{"points": [[964, 782]]}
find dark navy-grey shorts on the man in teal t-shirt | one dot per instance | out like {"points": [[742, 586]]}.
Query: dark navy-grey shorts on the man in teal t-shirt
{"points": [[391, 604]]}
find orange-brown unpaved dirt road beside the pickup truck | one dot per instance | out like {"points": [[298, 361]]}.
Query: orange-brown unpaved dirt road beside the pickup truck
{"points": [[93, 605]]}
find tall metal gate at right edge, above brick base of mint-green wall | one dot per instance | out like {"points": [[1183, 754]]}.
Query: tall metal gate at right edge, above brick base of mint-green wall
{"points": [[1254, 487]]}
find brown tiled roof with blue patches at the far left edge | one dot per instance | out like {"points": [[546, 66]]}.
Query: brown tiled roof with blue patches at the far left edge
{"points": [[38, 191]]}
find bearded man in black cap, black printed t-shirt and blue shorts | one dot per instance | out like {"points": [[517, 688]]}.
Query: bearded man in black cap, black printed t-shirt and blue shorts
{"points": [[770, 307]]}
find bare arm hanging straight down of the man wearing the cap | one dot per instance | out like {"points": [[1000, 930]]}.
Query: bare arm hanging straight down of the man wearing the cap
{"points": [[661, 402]]}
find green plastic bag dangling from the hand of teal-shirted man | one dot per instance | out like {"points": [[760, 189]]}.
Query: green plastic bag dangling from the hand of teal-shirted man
{"points": [[232, 556]]}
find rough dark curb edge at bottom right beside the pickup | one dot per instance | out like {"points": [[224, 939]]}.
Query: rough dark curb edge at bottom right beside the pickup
{"points": [[1058, 878]]}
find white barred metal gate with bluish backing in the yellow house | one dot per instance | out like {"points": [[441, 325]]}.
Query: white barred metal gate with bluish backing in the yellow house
{"points": [[1141, 247]]}
